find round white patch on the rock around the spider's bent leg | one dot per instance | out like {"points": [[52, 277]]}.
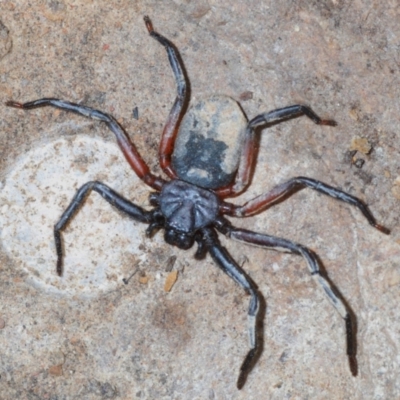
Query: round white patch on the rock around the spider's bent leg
{"points": [[101, 245]]}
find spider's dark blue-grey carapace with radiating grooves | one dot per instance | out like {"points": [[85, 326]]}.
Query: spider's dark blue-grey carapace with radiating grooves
{"points": [[186, 207]]}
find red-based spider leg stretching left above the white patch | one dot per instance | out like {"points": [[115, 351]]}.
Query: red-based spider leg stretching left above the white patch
{"points": [[128, 148]]}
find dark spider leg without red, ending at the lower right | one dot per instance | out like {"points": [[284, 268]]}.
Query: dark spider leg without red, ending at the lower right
{"points": [[276, 243]]}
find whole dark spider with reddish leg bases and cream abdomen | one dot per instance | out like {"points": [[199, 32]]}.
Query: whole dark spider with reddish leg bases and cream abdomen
{"points": [[209, 154]]}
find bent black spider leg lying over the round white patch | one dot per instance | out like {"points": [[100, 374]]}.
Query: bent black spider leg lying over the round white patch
{"points": [[115, 199]]}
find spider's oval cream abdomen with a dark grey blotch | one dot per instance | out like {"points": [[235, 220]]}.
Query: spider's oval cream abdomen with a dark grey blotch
{"points": [[207, 147]]}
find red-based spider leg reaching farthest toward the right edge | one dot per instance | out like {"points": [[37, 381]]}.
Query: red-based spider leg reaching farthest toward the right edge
{"points": [[265, 200]]}
